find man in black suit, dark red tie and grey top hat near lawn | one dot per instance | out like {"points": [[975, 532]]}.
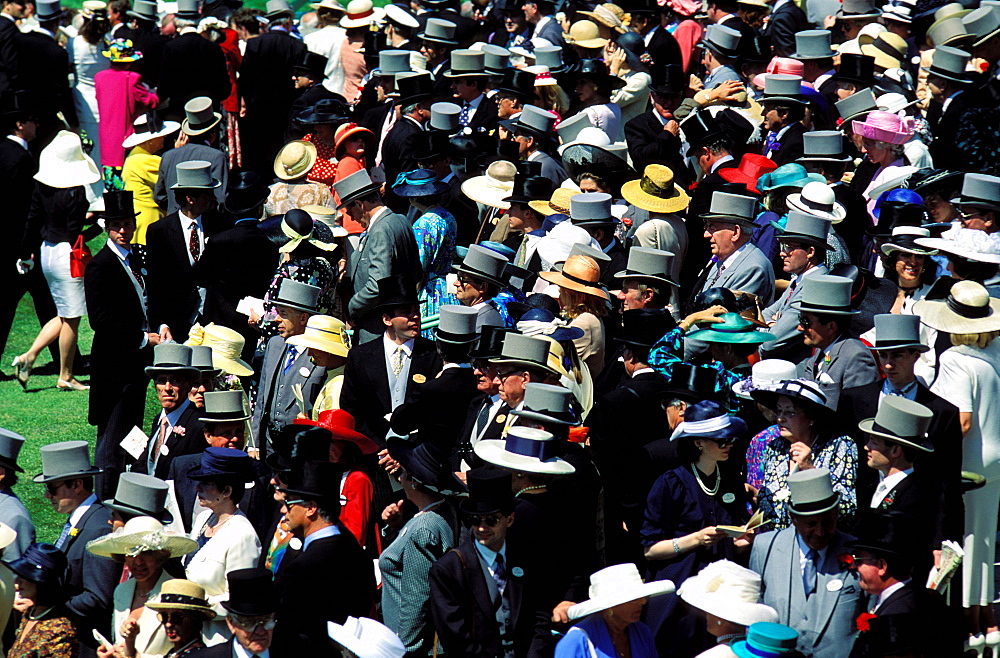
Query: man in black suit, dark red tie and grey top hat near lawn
{"points": [[175, 244]]}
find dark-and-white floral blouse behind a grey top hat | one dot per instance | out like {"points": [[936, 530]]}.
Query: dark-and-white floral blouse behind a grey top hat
{"points": [[838, 454]]}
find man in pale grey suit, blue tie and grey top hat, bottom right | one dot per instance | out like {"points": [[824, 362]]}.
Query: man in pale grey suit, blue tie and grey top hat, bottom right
{"points": [[800, 570]]}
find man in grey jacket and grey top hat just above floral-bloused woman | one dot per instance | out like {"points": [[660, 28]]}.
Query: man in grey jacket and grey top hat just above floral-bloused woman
{"points": [[838, 362]]}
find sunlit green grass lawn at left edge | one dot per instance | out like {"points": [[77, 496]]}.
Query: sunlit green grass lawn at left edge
{"points": [[44, 414]]}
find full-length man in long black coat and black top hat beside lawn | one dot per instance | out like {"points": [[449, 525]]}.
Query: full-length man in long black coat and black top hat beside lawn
{"points": [[123, 344]]}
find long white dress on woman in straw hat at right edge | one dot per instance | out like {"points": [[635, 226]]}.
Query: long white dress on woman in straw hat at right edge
{"points": [[969, 378]]}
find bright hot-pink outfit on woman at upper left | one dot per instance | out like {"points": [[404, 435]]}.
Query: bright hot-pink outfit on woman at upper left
{"points": [[121, 97]]}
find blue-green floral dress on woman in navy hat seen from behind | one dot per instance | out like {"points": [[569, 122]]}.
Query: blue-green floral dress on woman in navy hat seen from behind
{"points": [[437, 236]]}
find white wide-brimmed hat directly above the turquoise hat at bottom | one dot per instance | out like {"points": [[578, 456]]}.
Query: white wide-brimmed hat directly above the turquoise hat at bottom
{"points": [[728, 591]]}
